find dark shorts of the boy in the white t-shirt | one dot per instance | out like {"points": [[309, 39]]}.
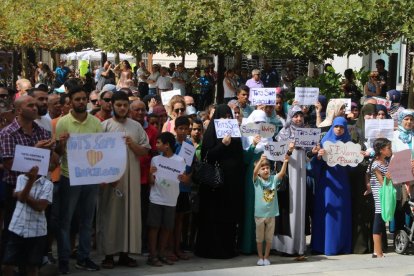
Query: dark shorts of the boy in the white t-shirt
{"points": [[161, 216]]}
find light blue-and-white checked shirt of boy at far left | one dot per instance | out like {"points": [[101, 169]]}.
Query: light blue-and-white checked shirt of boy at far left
{"points": [[26, 222]]}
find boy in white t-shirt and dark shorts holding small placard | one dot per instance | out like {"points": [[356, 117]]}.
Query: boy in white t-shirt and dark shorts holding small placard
{"points": [[163, 199]]}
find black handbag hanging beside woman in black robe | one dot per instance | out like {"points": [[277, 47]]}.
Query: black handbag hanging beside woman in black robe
{"points": [[209, 175]]}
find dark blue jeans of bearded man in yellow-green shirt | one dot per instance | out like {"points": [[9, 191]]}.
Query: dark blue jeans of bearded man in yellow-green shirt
{"points": [[69, 197]]}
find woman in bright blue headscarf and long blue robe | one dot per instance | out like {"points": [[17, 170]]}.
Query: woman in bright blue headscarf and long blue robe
{"points": [[332, 224]]}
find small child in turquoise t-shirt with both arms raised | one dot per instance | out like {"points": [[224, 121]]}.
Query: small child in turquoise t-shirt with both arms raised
{"points": [[266, 205]]}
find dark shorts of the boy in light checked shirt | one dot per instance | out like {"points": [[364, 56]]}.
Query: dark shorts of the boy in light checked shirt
{"points": [[21, 251]]}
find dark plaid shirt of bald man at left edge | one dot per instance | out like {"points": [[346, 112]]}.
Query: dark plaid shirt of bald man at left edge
{"points": [[13, 135]]}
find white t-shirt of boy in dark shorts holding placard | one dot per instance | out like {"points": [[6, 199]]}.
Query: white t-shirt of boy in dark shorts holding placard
{"points": [[165, 192]]}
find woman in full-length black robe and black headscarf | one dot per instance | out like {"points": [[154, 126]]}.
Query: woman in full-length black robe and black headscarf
{"points": [[221, 209]]}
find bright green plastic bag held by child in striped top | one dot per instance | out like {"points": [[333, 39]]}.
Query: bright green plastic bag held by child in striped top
{"points": [[388, 200]]}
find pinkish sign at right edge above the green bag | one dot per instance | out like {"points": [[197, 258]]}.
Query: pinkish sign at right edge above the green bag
{"points": [[400, 167]]}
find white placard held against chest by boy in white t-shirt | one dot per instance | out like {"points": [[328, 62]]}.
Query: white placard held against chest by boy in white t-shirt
{"points": [[168, 168]]}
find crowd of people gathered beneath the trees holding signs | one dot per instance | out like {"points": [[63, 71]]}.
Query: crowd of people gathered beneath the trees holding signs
{"points": [[278, 203]]}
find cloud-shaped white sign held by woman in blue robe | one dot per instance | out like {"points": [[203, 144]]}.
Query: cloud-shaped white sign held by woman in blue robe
{"points": [[348, 154]]}
